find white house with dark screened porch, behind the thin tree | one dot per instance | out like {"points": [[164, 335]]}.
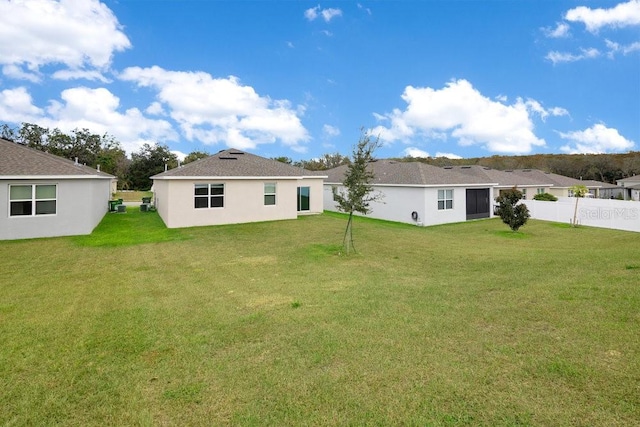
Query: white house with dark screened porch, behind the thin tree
{"points": [[421, 194]]}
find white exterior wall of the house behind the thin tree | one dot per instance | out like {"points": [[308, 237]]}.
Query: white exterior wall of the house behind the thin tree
{"points": [[400, 201]]}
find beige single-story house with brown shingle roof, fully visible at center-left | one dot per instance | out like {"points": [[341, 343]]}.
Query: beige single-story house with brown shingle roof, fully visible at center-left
{"points": [[233, 187]]}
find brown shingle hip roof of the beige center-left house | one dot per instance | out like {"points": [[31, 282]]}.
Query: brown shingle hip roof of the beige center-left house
{"points": [[236, 163]]}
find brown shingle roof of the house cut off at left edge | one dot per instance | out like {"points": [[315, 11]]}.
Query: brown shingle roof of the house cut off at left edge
{"points": [[17, 160]]}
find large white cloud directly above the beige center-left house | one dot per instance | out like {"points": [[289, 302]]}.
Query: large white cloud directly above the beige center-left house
{"points": [[214, 110]]}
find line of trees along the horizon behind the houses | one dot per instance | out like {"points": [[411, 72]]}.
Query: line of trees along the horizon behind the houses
{"points": [[133, 173]]}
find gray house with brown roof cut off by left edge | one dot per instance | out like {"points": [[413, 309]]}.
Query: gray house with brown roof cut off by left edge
{"points": [[42, 195]]}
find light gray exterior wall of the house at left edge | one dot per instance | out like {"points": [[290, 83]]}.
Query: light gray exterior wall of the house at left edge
{"points": [[80, 206]]}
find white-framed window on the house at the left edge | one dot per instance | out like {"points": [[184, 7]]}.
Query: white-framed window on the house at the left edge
{"points": [[31, 200]]}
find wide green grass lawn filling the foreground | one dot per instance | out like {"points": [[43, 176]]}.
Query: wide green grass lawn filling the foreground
{"points": [[267, 324]]}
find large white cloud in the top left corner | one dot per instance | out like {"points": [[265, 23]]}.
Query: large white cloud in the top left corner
{"points": [[81, 35]]}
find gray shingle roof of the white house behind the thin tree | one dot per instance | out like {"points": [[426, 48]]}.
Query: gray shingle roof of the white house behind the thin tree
{"points": [[391, 172]]}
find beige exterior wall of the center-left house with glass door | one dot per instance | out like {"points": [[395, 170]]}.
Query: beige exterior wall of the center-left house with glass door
{"points": [[243, 201]]}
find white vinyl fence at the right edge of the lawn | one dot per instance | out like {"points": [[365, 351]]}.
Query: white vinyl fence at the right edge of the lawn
{"points": [[605, 213]]}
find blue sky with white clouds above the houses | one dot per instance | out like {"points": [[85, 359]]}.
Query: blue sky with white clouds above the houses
{"points": [[302, 78]]}
